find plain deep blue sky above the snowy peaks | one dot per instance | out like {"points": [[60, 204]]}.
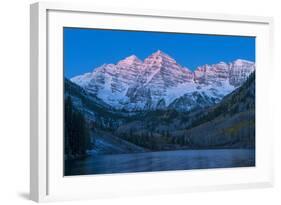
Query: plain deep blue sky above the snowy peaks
{"points": [[86, 49]]}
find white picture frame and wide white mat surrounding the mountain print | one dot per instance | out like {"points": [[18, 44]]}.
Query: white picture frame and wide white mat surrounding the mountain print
{"points": [[47, 182]]}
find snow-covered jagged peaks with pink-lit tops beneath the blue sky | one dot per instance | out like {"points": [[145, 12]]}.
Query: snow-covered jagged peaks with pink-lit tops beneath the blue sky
{"points": [[159, 82]]}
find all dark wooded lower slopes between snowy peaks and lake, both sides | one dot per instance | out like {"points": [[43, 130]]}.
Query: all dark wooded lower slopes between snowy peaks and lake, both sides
{"points": [[227, 124]]}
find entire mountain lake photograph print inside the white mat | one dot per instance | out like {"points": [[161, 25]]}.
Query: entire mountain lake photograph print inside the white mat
{"points": [[143, 101]]}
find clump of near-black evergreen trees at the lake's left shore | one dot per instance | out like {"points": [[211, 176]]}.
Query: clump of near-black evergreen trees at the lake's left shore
{"points": [[76, 131]]}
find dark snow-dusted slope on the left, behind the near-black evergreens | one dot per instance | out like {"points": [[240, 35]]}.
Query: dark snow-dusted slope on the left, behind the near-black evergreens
{"points": [[101, 119]]}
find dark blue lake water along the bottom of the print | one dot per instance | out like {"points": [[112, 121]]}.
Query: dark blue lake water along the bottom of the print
{"points": [[161, 161]]}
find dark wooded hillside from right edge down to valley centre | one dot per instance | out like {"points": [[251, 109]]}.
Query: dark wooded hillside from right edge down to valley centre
{"points": [[228, 124]]}
